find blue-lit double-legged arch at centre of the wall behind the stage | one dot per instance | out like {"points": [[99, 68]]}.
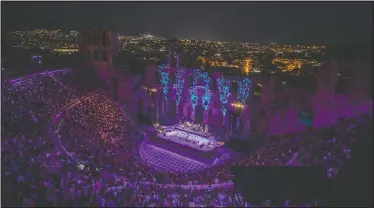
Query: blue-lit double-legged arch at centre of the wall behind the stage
{"points": [[206, 97]]}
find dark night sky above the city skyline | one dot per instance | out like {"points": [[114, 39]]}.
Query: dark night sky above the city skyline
{"points": [[334, 23]]}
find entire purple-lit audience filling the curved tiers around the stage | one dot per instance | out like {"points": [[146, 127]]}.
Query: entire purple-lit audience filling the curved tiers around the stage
{"points": [[104, 167]]}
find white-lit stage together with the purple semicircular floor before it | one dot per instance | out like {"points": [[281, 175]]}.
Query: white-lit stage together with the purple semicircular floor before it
{"points": [[182, 148]]}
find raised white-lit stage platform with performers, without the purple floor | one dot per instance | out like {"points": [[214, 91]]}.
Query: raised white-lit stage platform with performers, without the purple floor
{"points": [[187, 135]]}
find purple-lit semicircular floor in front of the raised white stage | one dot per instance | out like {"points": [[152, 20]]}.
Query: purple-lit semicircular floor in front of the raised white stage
{"points": [[167, 156]]}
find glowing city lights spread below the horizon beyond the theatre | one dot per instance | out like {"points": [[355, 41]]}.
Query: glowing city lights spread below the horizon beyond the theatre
{"points": [[149, 47]]}
